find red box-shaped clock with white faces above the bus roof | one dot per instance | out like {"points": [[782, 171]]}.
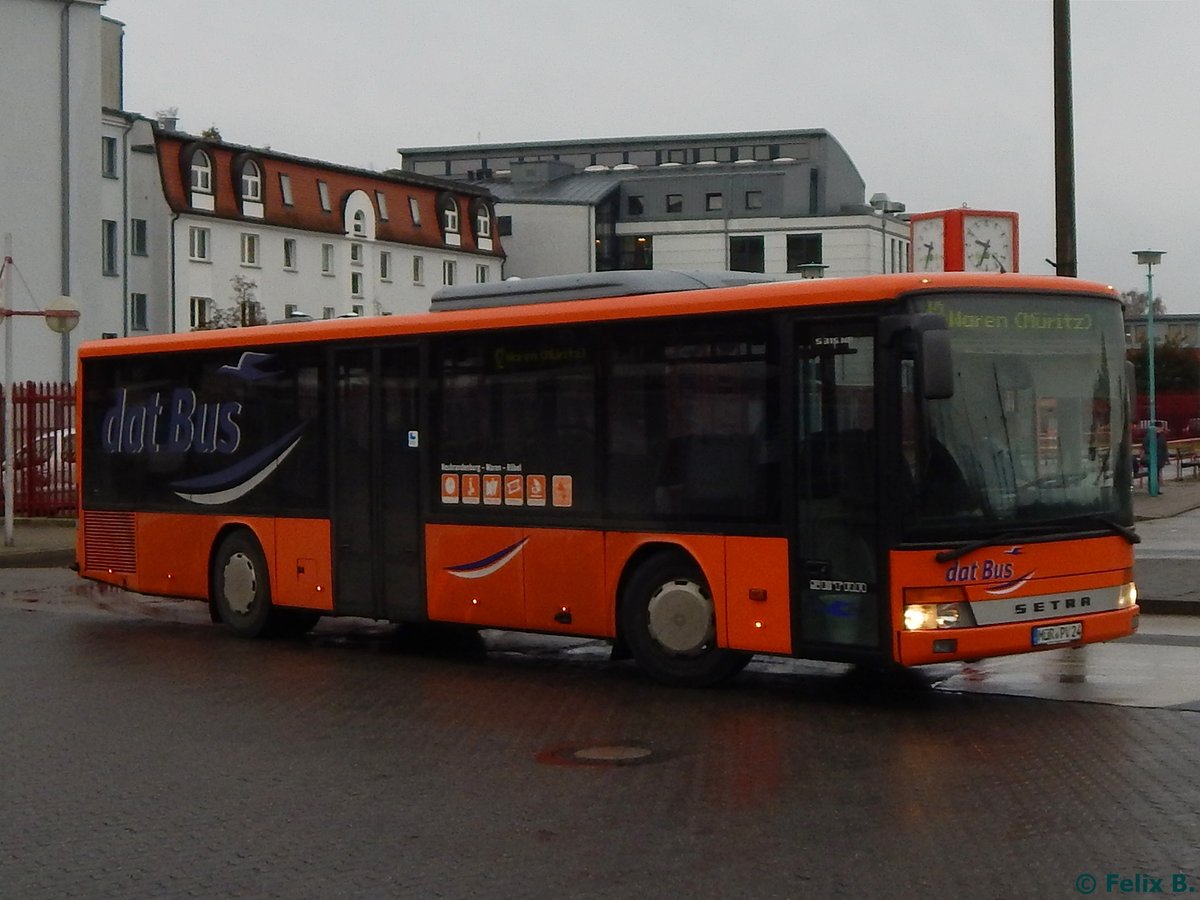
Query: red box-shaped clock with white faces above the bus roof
{"points": [[964, 241]]}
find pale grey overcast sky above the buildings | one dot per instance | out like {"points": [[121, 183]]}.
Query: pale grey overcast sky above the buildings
{"points": [[939, 103]]}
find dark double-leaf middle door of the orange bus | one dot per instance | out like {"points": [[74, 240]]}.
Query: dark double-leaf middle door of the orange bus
{"points": [[376, 443]]}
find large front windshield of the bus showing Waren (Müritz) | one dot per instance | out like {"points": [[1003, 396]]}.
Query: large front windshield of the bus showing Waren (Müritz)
{"points": [[1036, 431]]}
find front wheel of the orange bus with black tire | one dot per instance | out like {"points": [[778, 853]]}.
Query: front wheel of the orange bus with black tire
{"points": [[670, 626]]}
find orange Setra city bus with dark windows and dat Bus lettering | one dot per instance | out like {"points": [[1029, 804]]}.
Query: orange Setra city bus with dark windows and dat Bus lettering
{"points": [[891, 471]]}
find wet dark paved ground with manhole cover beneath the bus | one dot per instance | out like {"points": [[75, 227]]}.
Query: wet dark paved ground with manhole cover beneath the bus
{"points": [[147, 754]]}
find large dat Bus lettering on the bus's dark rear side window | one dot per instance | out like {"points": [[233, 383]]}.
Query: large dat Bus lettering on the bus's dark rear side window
{"points": [[181, 425]]}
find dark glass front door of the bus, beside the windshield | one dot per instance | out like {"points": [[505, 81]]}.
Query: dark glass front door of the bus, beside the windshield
{"points": [[837, 549]]}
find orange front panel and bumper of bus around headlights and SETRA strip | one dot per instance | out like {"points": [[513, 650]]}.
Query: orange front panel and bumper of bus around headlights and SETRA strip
{"points": [[1010, 573]]}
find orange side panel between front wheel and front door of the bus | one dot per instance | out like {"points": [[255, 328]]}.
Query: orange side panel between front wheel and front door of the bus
{"points": [[758, 595]]}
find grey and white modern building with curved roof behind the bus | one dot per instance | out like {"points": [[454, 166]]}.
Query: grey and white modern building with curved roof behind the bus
{"points": [[785, 203]]}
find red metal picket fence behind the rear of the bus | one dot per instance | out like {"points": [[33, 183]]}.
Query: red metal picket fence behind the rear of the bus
{"points": [[44, 449]]}
